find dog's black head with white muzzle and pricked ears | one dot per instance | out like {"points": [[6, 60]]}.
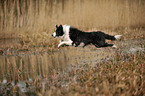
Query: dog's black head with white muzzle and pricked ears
{"points": [[58, 31]]}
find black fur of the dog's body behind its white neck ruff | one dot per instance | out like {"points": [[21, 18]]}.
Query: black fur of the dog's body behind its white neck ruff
{"points": [[96, 38]]}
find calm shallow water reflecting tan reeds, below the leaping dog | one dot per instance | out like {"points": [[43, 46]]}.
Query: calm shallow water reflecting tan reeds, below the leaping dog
{"points": [[26, 66]]}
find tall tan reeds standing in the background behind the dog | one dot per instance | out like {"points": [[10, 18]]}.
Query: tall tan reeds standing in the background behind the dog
{"points": [[42, 15]]}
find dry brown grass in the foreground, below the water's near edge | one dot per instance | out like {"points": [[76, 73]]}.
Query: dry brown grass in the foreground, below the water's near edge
{"points": [[123, 75]]}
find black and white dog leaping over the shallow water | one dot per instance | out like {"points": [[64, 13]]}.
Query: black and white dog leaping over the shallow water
{"points": [[73, 36]]}
